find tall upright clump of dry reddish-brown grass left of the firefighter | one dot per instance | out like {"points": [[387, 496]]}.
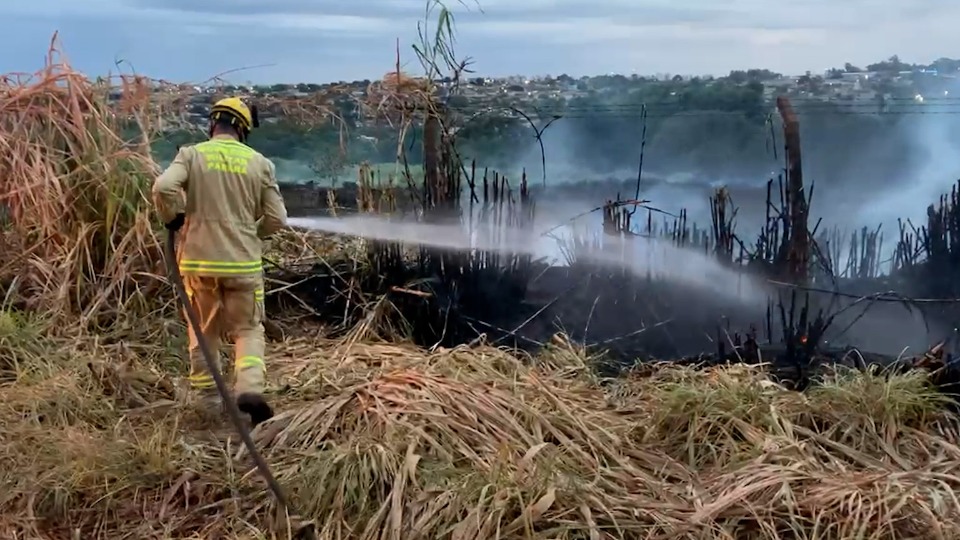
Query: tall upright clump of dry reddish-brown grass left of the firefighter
{"points": [[76, 193]]}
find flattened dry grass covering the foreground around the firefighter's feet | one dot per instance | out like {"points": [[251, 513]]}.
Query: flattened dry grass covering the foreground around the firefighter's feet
{"points": [[389, 441]]}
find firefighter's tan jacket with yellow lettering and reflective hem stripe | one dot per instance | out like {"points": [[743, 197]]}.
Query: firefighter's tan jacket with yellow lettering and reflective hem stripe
{"points": [[229, 195]]}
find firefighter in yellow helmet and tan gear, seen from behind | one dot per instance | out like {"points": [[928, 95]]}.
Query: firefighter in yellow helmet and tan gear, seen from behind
{"points": [[223, 198]]}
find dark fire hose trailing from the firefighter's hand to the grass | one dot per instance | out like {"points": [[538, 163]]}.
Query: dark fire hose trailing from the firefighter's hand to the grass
{"points": [[214, 369]]}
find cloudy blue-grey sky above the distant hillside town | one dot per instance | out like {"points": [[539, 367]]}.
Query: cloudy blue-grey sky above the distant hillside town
{"points": [[330, 40]]}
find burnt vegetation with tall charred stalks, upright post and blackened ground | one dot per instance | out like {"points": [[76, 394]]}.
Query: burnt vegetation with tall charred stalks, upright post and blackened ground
{"points": [[821, 283]]}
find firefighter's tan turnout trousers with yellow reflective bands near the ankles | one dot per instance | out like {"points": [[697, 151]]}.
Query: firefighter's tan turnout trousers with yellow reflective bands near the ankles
{"points": [[232, 307]]}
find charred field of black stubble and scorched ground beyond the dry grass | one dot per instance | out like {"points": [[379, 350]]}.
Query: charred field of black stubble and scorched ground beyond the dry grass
{"points": [[825, 296]]}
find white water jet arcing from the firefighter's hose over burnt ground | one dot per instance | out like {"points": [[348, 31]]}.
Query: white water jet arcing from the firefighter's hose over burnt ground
{"points": [[884, 328]]}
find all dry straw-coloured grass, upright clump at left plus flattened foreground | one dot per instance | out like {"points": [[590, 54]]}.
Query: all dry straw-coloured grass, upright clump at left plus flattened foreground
{"points": [[385, 440]]}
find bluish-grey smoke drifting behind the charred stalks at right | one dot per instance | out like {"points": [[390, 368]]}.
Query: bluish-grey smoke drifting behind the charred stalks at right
{"points": [[867, 169]]}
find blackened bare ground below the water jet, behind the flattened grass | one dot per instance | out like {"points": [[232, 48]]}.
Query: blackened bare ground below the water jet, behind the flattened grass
{"points": [[630, 318]]}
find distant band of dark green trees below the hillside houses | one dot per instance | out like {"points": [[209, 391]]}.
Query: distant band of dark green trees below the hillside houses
{"points": [[603, 120]]}
